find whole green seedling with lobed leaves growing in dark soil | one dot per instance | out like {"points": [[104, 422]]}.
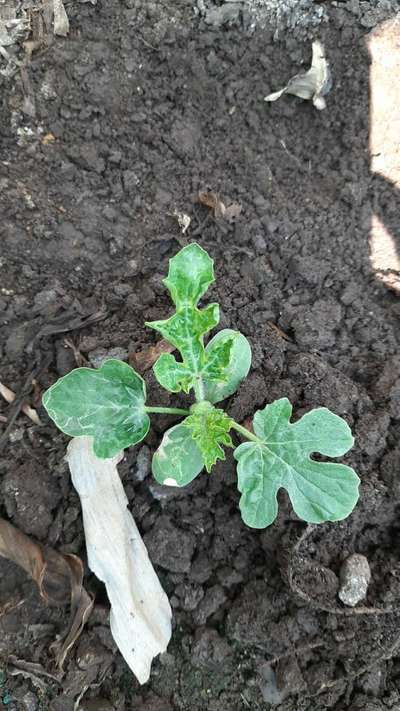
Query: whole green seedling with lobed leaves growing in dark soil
{"points": [[109, 405]]}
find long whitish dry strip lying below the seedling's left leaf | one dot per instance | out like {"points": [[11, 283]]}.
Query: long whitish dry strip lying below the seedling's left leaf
{"points": [[140, 616]]}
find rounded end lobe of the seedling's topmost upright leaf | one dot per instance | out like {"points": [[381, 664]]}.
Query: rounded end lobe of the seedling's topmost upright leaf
{"points": [[190, 274]]}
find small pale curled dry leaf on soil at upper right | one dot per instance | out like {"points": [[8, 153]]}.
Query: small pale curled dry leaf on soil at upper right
{"points": [[312, 84]]}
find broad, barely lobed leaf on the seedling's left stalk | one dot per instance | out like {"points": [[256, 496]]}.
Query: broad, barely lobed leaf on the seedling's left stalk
{"points": [[107, 404]]}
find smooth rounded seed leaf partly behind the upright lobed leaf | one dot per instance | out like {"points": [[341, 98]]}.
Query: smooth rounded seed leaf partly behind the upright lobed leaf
{"points": [[232, 371]]}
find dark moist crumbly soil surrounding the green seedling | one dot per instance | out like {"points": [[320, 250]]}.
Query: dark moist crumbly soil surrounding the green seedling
{"points": [[111, 130]]}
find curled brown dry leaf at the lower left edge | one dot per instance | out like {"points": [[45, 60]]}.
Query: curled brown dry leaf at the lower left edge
{"points": [[59, 579]]}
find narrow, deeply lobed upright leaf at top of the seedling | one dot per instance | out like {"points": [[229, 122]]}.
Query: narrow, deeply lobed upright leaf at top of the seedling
{"points": [[190, 274]]}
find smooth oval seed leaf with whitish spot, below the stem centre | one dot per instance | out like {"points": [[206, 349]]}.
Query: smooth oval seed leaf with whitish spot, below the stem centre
{"points": [[178, 459]]}
